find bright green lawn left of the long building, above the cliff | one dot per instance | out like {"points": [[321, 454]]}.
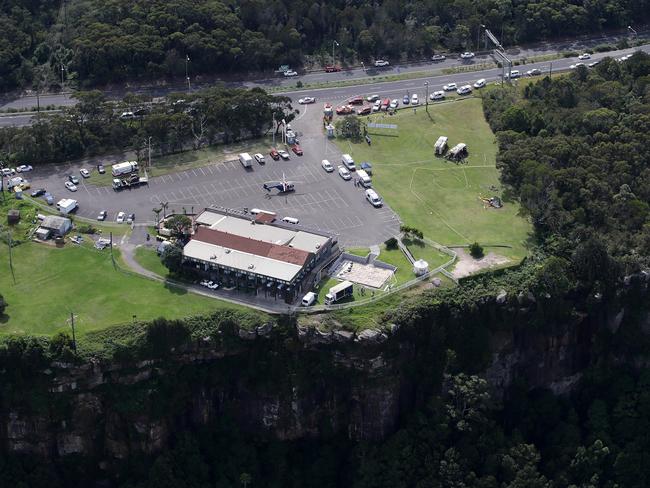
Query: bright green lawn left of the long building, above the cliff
{"points": [[51, 282]]}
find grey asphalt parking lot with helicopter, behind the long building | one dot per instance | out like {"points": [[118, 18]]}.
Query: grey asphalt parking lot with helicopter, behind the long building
{"points": [[321, 201]]}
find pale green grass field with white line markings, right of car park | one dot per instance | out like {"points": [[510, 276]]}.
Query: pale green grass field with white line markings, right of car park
{"points": [[439, 197]]}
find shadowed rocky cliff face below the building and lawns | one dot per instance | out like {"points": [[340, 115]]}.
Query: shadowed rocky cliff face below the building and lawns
{"points": [[287, 383]]}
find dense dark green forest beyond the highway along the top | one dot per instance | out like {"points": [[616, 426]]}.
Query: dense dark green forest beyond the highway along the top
{"points": [[92, 42]]}
